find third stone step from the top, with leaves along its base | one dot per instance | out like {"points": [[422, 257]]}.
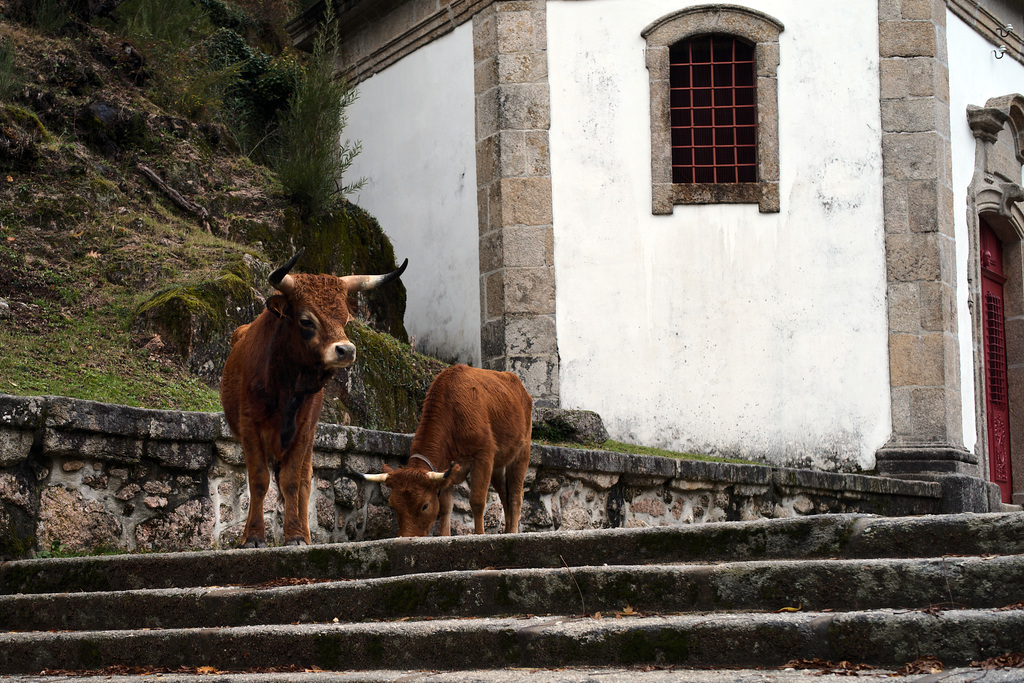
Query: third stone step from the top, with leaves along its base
{"points": [[885, 638]]}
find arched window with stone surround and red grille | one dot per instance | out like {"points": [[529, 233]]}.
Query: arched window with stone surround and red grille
{"points": [[714, 108]]}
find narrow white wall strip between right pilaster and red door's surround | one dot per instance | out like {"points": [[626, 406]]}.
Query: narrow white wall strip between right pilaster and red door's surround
{"points": [[975, 77]]}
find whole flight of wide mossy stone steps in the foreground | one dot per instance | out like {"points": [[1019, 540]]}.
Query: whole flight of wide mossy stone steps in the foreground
{"points": [[857, 588]]}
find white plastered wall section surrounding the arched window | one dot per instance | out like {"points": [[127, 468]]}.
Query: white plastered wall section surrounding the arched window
{"points": [[720, 329]]}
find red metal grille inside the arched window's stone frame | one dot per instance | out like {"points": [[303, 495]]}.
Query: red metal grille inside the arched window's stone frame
{"points": [[713, 111]]}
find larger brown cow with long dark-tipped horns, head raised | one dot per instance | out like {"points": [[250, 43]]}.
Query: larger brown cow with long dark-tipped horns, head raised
{"points": [[273, 388]]}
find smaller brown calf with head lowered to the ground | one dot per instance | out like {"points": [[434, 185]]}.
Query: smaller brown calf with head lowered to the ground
{"points": [[478, 423]]}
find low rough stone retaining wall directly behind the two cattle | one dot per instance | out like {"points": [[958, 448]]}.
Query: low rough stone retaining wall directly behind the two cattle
{"points": [[86, 477]]}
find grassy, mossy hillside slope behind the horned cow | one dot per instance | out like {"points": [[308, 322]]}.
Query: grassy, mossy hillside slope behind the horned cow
{"points": [[140, 212]]}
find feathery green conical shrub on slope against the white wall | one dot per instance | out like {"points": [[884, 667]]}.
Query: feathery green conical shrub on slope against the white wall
{"points": [[314, 159]]}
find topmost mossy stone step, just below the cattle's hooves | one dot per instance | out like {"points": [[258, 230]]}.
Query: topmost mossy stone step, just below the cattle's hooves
{"points": [[847, 536]]}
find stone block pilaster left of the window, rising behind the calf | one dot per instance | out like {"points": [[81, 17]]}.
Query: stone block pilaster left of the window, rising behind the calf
{"points": [[514, 173]]}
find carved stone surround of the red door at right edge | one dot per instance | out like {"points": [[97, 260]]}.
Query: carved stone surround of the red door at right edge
{"points": [[996, 199]]}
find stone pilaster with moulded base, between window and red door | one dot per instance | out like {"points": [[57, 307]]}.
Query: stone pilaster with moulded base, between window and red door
{"points": [[924, 349]]}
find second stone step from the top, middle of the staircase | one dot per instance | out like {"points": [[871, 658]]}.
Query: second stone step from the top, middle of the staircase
{"points": [[950, 583]]}
